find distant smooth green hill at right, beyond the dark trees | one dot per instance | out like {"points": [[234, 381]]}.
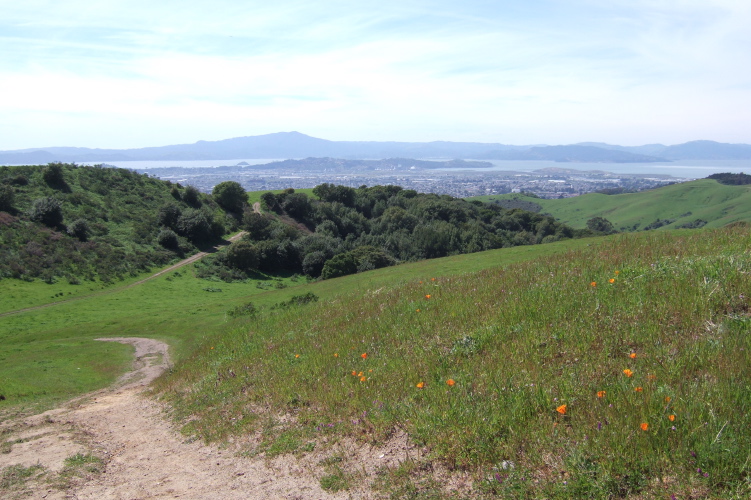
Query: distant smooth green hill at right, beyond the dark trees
{"points": [[705, 199]]}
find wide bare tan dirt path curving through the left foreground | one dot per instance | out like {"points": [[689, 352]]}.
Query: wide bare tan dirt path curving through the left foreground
{"points": [[138, 454]]}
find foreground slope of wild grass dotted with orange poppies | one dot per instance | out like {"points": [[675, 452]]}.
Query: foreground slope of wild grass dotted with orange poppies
{"points": [[515, 374]]}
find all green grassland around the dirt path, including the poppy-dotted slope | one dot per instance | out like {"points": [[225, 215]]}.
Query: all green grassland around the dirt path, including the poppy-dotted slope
{"points": [[613, 367]]}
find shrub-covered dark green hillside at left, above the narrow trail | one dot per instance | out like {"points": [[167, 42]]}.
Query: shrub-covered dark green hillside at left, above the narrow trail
{"points": [[63, 221]]}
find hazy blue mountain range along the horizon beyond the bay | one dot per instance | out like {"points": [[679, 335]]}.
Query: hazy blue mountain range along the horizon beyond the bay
{"points": [[297, 145]]}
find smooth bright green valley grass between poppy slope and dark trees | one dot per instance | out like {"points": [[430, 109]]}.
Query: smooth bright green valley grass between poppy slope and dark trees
{"points": [[49, 354]]}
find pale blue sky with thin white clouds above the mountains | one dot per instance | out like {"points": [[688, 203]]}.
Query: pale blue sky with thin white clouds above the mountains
{"points": [[137, 73]]}
